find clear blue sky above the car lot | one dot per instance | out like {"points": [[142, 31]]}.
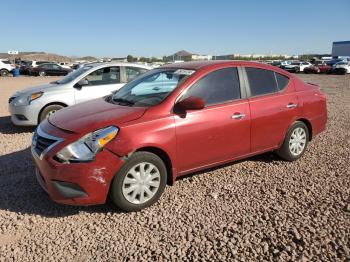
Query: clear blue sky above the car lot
{"points": [[157, 28]]}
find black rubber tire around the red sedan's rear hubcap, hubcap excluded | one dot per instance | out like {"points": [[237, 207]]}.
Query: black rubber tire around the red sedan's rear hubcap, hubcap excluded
{"points": [[284, 151]]}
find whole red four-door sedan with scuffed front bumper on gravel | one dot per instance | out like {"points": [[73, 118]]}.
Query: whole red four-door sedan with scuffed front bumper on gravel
{"points": [[171, 121]]}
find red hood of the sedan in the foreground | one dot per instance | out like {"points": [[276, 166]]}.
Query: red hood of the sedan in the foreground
{"points": [[95, 114]]}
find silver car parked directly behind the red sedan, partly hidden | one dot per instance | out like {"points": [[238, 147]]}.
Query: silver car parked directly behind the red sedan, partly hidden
{"points": [[32, 105]]}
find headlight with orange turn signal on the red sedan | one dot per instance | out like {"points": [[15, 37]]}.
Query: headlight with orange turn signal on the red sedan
{"points": [[86, 148]]}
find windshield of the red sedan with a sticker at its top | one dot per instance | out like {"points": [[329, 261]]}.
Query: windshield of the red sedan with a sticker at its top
{"points": [[151, 88]]}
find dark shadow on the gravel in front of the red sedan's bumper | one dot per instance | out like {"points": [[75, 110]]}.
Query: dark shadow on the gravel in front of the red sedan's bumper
{"points": [[21, 193]]}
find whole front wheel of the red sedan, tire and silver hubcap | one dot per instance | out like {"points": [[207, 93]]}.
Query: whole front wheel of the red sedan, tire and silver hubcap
{"points": [[139, 183]]}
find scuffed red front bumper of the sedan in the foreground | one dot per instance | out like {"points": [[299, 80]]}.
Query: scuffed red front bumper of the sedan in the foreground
{"points": [[77, 183]]}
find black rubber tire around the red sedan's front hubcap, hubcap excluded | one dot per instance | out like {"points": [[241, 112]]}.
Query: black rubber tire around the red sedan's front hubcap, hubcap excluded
{"points": [[116, 193]]}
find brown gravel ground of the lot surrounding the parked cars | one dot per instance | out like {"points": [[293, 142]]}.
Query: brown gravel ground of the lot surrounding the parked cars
{"points": [[258, 209]]}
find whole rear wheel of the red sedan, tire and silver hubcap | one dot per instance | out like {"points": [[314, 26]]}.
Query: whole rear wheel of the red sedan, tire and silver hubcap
{"points": [[295, 142]]}
